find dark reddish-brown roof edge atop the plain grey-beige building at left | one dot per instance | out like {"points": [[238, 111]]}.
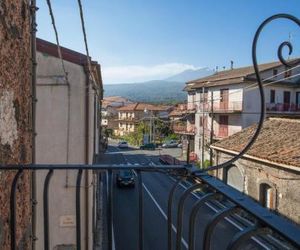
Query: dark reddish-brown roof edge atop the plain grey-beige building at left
{"points": [[67, 54]]}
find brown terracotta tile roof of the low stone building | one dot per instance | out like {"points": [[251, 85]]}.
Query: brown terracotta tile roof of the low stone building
{"points": [[278, 142]]}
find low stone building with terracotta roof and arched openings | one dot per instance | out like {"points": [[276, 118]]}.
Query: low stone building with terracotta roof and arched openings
{"points": [[269, 172]]}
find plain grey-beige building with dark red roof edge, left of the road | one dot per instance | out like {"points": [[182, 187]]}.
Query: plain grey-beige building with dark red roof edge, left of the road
{"points": [[67, 132]]}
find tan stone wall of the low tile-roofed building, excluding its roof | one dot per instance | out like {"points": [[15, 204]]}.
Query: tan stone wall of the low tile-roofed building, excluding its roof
{"points": [[284, 182]]}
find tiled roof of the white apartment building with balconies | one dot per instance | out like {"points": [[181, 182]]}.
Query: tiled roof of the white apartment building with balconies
{"points": [[232, 76]]}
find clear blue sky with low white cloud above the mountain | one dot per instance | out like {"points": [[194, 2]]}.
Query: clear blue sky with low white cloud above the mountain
{"points": [[139, 40]]}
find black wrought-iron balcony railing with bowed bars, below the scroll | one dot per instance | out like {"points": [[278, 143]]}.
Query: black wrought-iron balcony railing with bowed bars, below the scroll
{"points": [[268, 229]]}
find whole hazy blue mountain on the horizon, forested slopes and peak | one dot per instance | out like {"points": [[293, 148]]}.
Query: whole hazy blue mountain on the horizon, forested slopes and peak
{"points": [[168, 91]]}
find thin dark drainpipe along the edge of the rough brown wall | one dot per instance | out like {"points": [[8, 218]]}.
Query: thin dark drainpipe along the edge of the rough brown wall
{"points": [[33, 10]]}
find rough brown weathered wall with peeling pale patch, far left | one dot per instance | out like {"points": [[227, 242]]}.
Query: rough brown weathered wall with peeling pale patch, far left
{"points": [[15, 106]]}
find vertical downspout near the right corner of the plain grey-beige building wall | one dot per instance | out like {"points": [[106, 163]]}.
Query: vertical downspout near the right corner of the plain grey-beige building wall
{"points": [[87, 124]]}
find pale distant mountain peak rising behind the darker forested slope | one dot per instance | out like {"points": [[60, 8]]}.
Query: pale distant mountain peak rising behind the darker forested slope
{"points": [[190, 74]]}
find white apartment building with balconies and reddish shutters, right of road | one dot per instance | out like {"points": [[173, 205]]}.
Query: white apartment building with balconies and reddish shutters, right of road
{"points": [[228, 101]]}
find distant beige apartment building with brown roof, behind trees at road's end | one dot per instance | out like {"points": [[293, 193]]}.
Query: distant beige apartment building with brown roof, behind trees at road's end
{"points": [[132, 114]]}
